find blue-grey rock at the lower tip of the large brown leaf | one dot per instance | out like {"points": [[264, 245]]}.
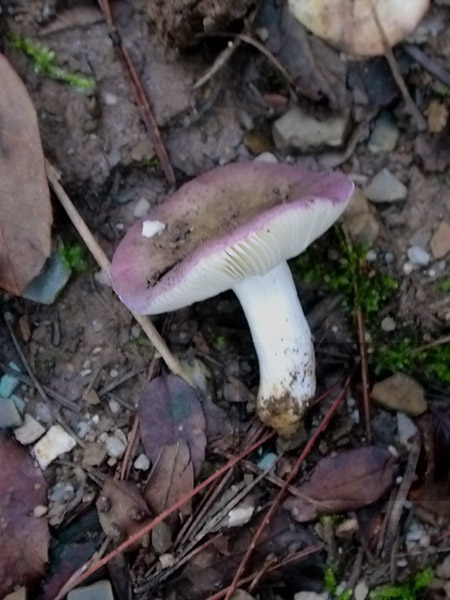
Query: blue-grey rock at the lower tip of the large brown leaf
{"points": [[45, 288]]}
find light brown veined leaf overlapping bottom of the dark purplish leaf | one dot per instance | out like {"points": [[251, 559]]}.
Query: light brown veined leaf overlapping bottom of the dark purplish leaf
{"points": [[171, 478]]}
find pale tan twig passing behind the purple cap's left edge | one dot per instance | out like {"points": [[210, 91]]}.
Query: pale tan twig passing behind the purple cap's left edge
{"points": [[156, 339]]}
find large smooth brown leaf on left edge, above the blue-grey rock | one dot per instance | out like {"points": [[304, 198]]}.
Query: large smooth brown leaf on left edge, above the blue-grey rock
{"points": [[26, 214]]}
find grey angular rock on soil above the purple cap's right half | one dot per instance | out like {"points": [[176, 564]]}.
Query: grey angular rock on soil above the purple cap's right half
{"points": [[297, 129]]}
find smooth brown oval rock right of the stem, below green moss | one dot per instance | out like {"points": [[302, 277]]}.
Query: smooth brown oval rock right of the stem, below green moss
{"points": [[402, 393]]}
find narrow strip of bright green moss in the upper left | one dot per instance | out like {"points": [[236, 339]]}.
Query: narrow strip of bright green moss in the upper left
{"points": [[44, 62]]}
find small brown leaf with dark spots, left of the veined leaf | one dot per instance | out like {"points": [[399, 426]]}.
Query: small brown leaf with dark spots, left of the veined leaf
{"points": [[122, 510]]}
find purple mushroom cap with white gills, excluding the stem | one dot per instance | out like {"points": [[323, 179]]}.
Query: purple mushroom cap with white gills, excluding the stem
{"points": [[231, 223]]}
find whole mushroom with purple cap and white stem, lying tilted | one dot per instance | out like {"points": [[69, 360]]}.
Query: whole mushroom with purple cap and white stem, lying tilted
{"points": [[234, 228]]}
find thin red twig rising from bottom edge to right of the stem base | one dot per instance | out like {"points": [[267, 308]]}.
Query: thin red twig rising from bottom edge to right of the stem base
{"points": [[281, 493]]}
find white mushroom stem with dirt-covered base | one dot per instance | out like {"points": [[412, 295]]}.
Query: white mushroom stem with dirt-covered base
{"points": [[283, 344]]}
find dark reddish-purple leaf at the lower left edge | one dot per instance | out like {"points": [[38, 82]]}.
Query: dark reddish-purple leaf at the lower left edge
{"points": [[23, 537]]}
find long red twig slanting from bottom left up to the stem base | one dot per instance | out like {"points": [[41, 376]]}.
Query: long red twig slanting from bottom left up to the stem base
{"points": [[149, 526]]}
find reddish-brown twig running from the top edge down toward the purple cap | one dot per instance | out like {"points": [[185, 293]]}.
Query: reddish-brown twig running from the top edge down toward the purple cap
{"points": [[140, 95]]}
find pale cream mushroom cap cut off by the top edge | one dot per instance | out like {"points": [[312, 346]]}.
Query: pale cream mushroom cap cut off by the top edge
{"points": [[351, 25]]}
